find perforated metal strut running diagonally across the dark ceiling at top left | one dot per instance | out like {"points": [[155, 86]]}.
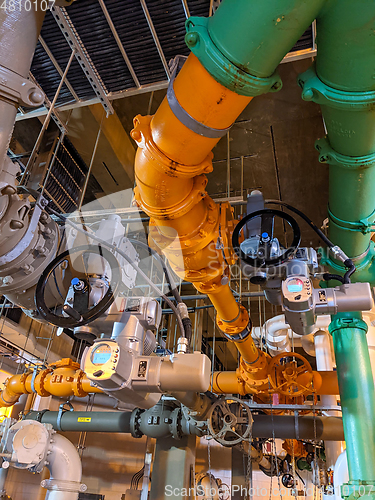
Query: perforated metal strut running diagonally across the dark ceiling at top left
{"points": [[70, 33]]}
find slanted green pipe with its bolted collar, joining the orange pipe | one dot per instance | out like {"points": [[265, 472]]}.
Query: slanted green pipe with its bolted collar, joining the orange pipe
{"points": [[244, 42]]}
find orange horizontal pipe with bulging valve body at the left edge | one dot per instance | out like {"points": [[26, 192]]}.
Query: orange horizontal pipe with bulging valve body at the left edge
{"points": [[62, 379]]}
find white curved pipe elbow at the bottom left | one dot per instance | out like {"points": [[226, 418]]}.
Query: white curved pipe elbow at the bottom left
{"points": [[65, 467]]}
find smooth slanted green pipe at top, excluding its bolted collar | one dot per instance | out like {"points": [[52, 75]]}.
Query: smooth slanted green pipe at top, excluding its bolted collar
{"points": [[256, 35]]}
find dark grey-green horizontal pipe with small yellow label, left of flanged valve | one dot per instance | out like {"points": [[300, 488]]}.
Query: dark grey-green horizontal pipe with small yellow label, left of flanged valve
{"points": [[77, 421]]}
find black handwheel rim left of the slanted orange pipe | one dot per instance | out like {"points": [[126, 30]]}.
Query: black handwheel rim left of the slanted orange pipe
{"points": [[95, 311]]}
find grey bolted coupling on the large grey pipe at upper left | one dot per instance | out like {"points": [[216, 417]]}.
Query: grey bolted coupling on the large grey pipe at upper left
{"points": [[19, 90]]}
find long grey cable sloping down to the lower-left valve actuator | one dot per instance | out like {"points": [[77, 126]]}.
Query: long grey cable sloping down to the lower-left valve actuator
{"points": [[129, 260]]}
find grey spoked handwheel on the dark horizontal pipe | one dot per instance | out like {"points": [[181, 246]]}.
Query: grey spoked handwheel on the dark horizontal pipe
{"points": [[230, 421]]}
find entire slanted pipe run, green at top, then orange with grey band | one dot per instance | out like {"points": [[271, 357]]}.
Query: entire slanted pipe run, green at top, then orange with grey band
{"points": [[174, 153]]}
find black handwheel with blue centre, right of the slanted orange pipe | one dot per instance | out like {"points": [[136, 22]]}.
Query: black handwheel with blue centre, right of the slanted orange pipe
{"points": [[263, 259]]}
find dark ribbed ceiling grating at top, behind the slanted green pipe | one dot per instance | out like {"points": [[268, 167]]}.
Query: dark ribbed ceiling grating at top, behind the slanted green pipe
{"points": [[127, 43]]}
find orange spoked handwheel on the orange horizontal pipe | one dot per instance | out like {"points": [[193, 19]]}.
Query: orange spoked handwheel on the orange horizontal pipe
{"points": [[290, 374]]}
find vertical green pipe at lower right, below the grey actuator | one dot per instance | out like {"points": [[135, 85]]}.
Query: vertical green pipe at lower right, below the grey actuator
{"points": [[356, 386]]}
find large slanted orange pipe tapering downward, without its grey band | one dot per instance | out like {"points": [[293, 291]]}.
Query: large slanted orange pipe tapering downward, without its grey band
{"points": [[170, 167]]}
